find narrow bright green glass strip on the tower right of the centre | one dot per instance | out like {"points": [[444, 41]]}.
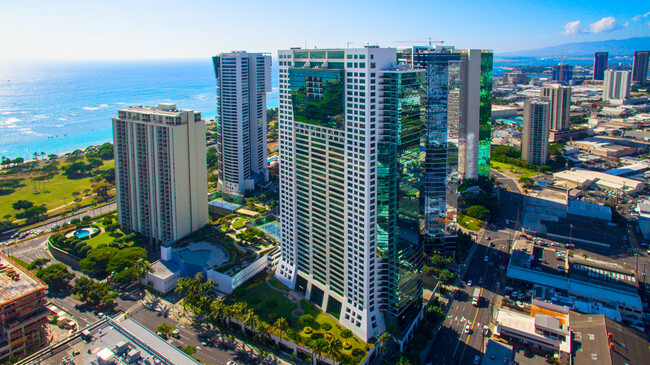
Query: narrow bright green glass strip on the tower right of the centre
{"points": [[485, 115]]}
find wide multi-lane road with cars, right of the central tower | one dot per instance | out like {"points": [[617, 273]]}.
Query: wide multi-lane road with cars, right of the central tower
{"points": [[452, 345]]}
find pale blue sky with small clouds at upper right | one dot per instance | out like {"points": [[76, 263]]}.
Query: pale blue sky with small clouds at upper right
{"points": [[166, 29]]}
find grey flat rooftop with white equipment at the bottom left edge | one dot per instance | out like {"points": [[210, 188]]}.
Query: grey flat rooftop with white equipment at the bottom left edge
{"points": [[116, 338]]}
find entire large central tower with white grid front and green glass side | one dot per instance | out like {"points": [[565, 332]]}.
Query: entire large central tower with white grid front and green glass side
{"points": [[352, 178]]}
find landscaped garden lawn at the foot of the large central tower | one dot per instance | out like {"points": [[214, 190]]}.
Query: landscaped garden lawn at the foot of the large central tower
{"points": [[258, 295]]}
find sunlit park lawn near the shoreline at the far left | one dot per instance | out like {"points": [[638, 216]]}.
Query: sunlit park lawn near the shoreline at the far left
{"points": [[54, 192]]}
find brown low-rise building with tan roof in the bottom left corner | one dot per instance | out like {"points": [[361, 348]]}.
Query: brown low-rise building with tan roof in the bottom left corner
{"points": [[23, 310]]}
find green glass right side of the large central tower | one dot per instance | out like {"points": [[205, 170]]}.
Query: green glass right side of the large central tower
{"points": [[400, 216]]}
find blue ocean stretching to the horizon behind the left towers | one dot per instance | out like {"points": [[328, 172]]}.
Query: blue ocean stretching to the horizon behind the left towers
{"points": [[58, 107]]}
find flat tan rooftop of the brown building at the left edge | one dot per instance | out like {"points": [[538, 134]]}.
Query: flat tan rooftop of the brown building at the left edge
{"points": [[16, 281]]}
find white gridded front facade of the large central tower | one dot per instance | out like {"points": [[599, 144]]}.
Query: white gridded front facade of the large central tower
{"points": [[332, 257]]}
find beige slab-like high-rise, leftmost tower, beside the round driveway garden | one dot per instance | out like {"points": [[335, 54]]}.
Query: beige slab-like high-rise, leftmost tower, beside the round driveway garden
{"points": [[160, 171]]}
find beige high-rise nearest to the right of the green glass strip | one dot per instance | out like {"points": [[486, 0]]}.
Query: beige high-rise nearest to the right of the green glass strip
{"points": [[534, 142]]}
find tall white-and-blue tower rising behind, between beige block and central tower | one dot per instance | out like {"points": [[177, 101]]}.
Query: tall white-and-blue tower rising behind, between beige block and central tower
{"points": [[243, 79]]}
